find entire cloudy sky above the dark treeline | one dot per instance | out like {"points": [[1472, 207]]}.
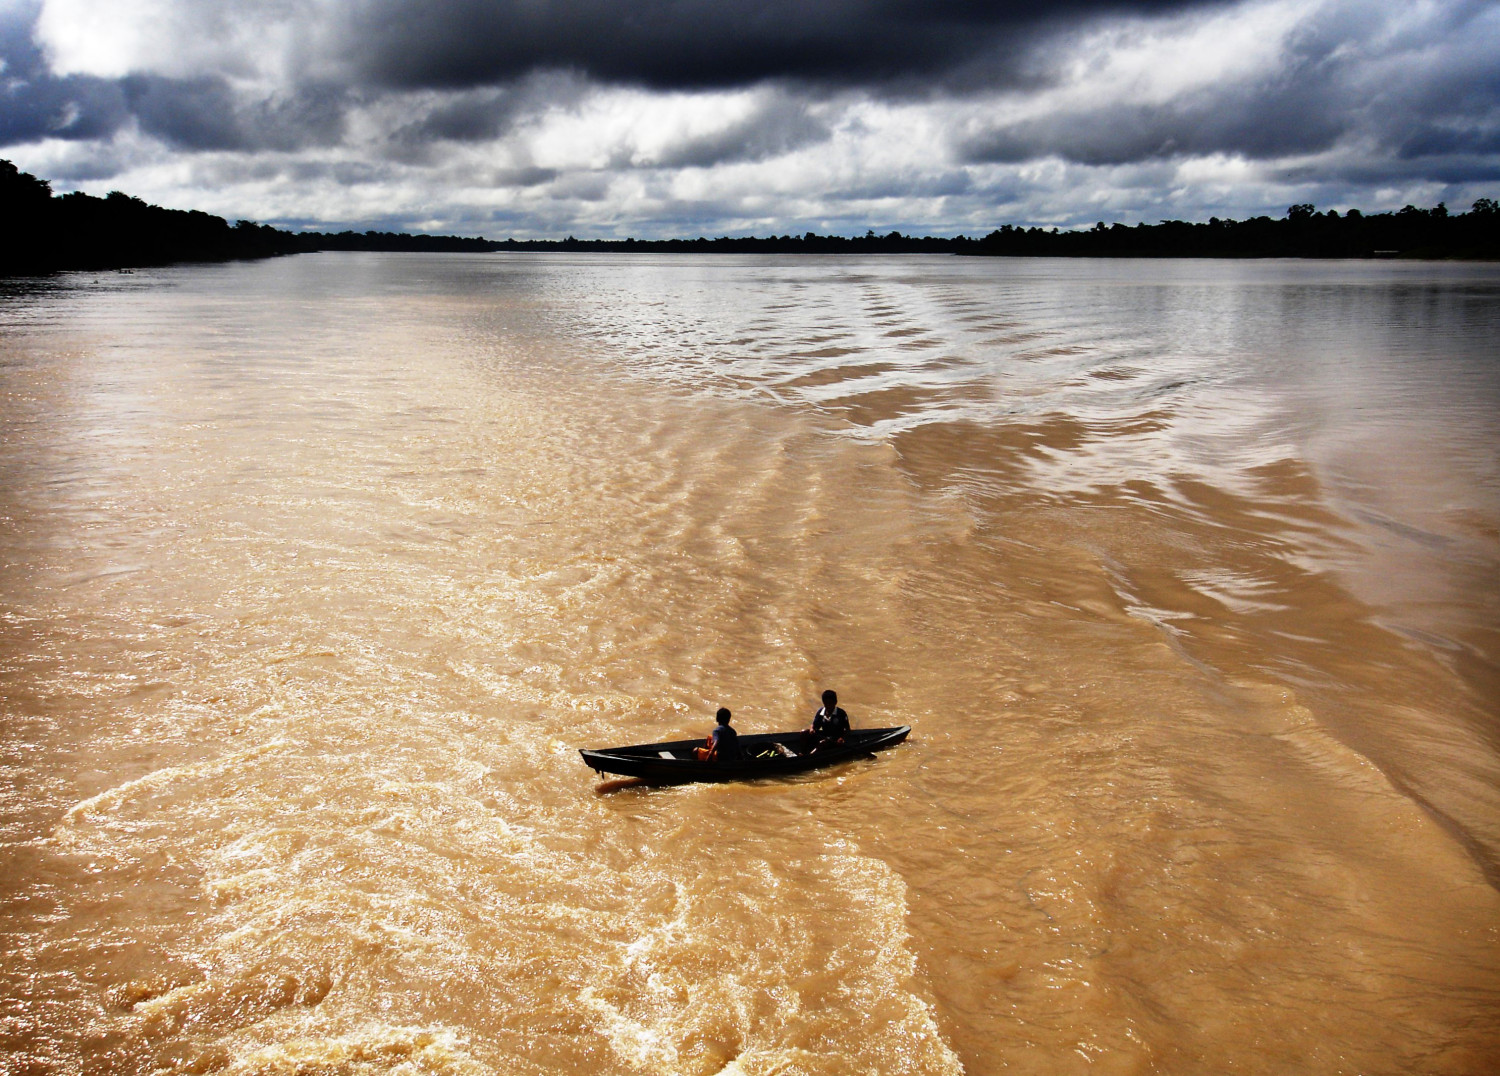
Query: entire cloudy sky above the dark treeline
{"points": [[685, 118]]}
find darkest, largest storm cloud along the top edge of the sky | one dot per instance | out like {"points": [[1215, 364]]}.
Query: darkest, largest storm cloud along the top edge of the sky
{"points": [[701, 44]]}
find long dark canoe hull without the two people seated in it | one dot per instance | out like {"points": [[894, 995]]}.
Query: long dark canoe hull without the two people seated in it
{"points": [[674, 763]]}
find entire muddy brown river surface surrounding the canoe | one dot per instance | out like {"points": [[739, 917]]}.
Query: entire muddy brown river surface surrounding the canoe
{"points": [[316, 574]]}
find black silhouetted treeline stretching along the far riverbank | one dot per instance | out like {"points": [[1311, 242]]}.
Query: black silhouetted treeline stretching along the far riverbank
{"points": [[49, 233]]}
